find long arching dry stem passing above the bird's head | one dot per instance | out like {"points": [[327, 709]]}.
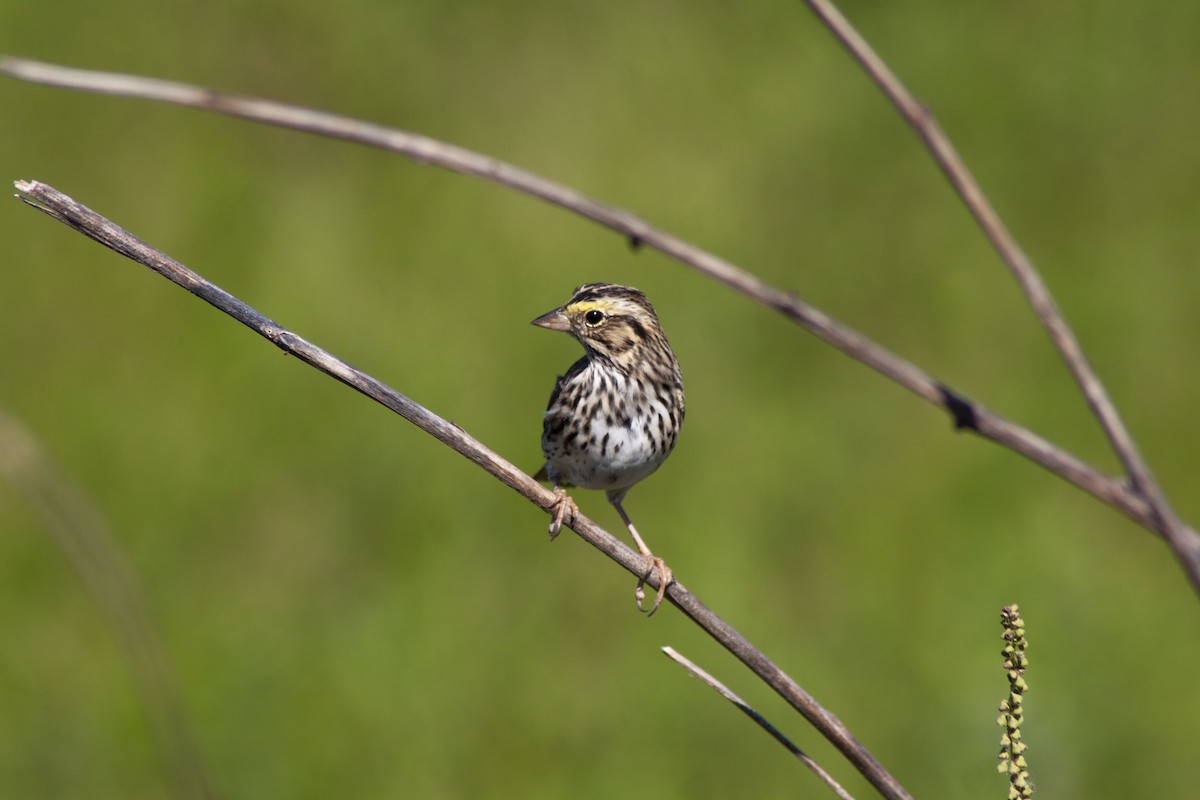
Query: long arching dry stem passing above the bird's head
{"points": [[968, 414]]}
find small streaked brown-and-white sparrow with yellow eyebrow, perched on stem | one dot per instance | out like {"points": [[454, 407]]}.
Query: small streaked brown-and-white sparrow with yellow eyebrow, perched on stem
{"points": [[615, 417]]}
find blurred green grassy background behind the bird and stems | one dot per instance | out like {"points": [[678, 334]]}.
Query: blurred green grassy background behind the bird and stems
{"points": [[353, 611]]}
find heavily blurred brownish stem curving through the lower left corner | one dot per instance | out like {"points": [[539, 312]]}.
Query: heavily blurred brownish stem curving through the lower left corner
{"points": [[83, 536]]}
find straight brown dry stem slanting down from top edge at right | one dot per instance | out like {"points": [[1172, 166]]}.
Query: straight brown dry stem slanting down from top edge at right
{"points": [[1144, 484]]}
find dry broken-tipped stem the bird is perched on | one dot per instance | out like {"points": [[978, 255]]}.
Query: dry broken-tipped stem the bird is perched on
{"points": [[88, 222]]}
